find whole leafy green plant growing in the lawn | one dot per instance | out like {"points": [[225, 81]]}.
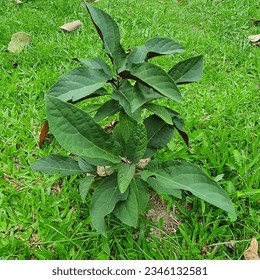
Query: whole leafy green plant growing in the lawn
{"points": [[118, 160]]}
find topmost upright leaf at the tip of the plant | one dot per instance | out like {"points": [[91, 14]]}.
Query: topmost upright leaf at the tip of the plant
{"points": [[109, 34]]}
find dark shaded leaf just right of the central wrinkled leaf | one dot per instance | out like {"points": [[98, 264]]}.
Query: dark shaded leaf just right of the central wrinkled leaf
{"points": [[159, 133]]}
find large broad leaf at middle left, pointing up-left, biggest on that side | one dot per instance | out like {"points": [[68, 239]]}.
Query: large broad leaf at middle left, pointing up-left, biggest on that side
{"points": [[77, 132]]}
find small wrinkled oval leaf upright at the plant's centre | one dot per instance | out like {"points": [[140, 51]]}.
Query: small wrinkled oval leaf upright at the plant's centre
{"points": [[136, 145]]}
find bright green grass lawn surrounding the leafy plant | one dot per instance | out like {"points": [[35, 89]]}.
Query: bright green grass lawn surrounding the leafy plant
{"points": [[42, 217]]}
